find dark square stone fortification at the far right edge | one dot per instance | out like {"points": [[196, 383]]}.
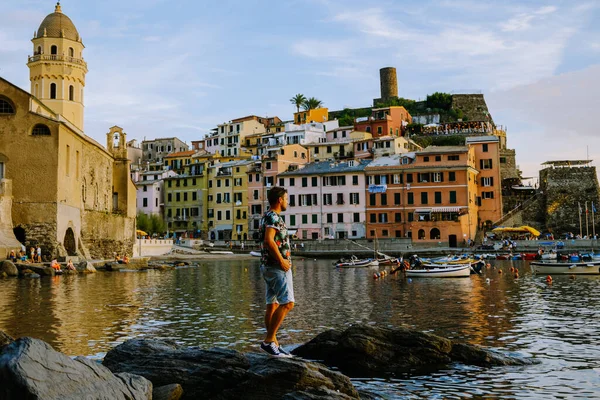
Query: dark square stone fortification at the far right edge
{"points": [[564, 191]]}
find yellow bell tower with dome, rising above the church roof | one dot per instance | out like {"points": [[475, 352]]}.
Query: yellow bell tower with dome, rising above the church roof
{"points": [[56, 68]]}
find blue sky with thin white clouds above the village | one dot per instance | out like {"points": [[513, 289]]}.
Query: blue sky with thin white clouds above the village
{"points": [[163, 68]]}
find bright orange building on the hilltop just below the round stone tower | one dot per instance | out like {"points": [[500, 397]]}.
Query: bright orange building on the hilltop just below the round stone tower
{"points": [[384, 121]]}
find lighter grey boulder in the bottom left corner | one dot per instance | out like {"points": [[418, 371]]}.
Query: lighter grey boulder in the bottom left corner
{"points": [[31, 369]]}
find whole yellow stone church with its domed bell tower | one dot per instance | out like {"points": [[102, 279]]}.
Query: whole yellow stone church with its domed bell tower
{"points": [[71, 195]]}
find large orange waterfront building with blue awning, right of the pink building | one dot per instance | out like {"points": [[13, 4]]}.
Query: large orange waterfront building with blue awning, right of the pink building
{"points": [[429, 195]]}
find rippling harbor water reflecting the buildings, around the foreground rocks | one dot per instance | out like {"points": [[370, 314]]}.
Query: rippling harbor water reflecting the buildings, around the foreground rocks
{"points": [[221, 303]]}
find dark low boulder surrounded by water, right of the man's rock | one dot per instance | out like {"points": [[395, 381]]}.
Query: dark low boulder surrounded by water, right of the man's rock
{"points": [[367, 351]]}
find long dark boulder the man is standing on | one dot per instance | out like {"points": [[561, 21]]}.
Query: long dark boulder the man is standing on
{"points": [[226, 374]]}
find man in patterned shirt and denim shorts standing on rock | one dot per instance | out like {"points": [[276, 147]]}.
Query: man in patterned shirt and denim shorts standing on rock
{"points": [[276, 264]]}
